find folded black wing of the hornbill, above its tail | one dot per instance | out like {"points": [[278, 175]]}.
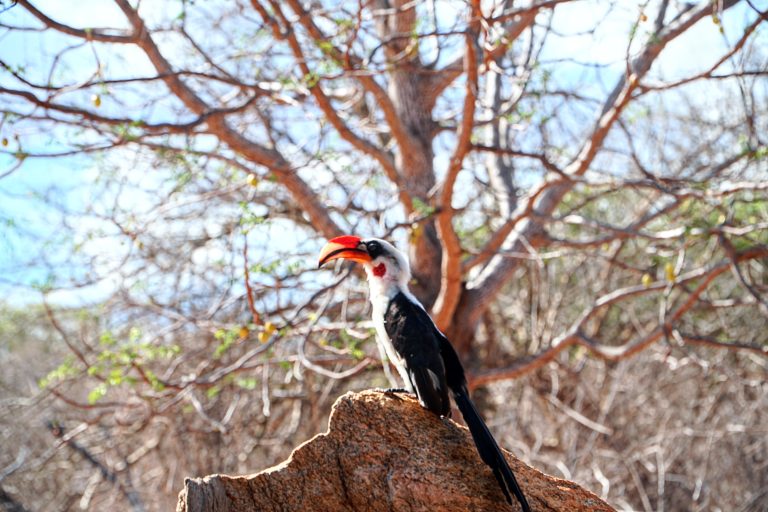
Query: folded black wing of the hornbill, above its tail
{"points": [[416, 340]]}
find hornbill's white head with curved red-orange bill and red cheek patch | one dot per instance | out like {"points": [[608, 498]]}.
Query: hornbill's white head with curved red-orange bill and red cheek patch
{"points": [[387, 268]]}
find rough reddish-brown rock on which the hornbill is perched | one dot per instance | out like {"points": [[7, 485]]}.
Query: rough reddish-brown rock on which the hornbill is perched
{"points": [[383, 452]]}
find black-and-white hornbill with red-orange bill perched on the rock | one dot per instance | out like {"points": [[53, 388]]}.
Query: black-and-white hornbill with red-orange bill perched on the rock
{"points": [[423, 356]]}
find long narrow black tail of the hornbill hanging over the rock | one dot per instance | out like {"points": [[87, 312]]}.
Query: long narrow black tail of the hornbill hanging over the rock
{"points": [[488, 449]]}
